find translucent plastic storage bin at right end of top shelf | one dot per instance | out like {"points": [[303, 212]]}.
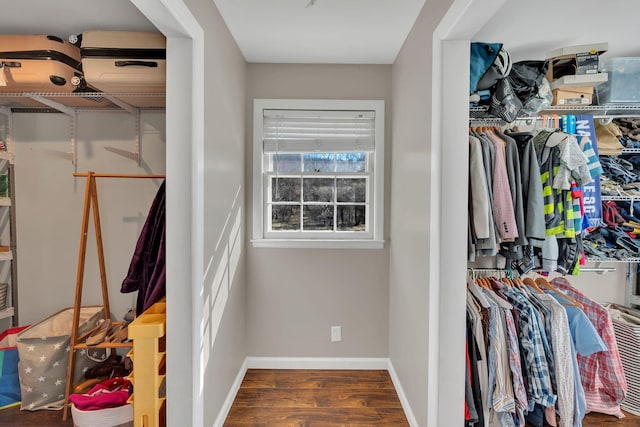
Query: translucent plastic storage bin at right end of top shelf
{"points": [[623, 85]]}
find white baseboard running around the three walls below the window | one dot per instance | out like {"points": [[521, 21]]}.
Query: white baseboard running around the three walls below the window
{"points": [[315, 363]]}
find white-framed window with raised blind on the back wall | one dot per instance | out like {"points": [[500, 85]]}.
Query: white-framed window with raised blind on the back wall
{"points": [[318, 173]]}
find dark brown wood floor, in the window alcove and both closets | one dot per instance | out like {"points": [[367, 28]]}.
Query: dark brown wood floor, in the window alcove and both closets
{"points": [[303, 397]]}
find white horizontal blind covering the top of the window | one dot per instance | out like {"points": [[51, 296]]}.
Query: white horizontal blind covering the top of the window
{"points": [[305, 131]]}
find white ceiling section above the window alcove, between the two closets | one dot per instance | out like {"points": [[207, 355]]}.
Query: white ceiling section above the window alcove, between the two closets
{"points": [[320, 31]]}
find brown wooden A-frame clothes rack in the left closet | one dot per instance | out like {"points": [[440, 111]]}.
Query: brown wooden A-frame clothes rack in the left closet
{"points": [[90, 198]]}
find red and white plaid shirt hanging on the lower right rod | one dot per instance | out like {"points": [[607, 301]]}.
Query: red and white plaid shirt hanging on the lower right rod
{"points": [[604, 367]]}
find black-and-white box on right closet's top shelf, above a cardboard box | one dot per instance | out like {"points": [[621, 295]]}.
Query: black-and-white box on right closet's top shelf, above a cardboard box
{"points": [[575, 60]]}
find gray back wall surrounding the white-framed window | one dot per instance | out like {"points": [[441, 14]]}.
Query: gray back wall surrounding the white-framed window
{"points": [[294, 295]]}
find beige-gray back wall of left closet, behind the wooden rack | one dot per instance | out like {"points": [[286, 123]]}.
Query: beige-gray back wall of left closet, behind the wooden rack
{"points": [[49, 205]]}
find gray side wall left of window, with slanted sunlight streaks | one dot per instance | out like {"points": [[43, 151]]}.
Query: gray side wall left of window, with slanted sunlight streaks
{"points": [[220, 332]]}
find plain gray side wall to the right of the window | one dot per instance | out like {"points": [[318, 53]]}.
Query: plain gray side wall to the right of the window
{"points": [[411, 286]]}
